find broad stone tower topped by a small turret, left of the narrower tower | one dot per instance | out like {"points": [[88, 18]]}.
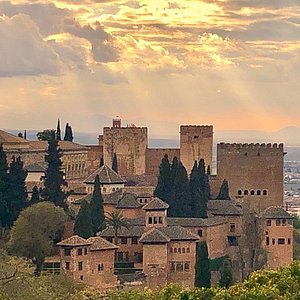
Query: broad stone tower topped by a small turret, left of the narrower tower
{"points": [[129, 143]]}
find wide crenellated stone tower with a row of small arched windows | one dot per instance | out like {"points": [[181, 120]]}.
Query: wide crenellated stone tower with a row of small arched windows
{"points": [[254, 173]]}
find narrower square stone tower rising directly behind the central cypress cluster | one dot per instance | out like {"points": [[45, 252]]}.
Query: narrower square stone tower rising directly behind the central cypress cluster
{"points": [[196, 142]]}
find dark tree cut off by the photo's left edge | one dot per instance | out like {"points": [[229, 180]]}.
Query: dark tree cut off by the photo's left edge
{"points": [[4, 190]]}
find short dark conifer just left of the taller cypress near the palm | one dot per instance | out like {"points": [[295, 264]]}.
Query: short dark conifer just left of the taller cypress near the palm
{"points": [[83, 223]]}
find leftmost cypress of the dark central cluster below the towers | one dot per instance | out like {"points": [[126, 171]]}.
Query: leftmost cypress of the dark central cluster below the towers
{"points": [[164, 186]]}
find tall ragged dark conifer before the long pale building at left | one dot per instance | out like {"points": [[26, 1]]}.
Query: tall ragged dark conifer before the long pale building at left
{"points": [[54, 177]]}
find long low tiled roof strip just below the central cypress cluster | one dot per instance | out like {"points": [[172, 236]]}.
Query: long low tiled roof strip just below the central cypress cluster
{"points": [[195, 222]]}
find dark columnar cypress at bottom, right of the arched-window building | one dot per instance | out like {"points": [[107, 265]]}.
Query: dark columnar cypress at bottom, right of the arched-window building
{"points": [[202, 276]]}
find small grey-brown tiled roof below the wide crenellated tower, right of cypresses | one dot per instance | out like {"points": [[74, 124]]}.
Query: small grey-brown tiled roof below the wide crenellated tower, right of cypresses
{"points": [[224, 207]]}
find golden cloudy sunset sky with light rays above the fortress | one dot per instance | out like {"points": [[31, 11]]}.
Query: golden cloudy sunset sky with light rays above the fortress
{"points": [[234, 64]]}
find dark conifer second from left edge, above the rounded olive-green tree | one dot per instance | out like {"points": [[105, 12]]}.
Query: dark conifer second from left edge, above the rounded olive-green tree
{"points": [[17, 193]]}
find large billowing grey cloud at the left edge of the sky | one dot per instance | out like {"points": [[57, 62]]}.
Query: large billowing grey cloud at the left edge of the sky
{"points": [[23, 50]]}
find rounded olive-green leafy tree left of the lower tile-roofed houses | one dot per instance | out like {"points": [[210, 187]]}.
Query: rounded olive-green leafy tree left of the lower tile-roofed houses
{"points": [[35, 231]]}
